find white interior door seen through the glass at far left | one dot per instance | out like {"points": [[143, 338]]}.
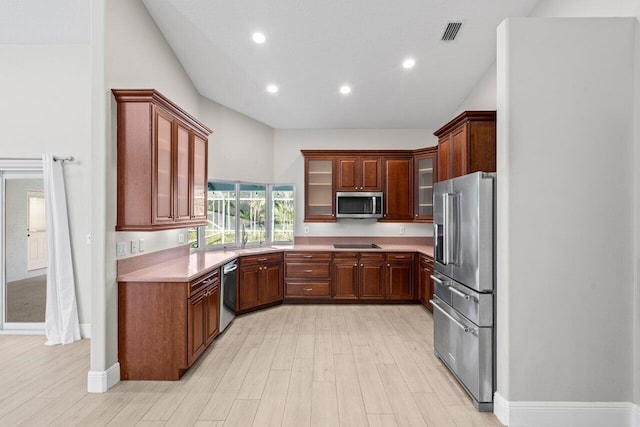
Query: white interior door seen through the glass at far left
{"points": [[36, 231]]}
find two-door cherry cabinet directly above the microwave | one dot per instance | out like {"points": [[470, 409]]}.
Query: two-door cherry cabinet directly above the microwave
{"points": [[358, 173]]}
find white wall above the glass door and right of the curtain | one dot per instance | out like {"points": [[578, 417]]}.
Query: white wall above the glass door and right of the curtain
{"points": [[45, 107]]}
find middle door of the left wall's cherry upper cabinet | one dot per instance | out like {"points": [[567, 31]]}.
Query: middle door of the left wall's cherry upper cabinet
{"points": [[182, 181]]}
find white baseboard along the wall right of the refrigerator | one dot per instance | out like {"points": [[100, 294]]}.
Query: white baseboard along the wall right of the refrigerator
{"points": [[578, 414]]}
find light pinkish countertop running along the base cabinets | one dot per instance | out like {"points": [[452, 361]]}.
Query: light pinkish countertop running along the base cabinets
{"points": [[190, 267]]}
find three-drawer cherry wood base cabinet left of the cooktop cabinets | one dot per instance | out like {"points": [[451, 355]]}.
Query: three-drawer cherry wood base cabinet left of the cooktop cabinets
{"points": [[307, 275]]}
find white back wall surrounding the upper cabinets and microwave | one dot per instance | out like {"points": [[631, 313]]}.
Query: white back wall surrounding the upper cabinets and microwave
{"points": [[289, 168]]}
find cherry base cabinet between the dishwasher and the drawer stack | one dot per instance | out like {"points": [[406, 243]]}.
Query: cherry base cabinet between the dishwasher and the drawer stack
{"points": [[260, 281]]}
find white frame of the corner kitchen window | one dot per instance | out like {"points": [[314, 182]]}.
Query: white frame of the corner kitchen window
{"points": [[269, 232]]}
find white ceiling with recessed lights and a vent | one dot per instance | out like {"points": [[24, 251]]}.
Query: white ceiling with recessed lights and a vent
{"points": [[314, 46]]}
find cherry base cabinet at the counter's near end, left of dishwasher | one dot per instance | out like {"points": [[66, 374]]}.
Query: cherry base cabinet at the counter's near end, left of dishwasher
{"points": [[163, 327]]}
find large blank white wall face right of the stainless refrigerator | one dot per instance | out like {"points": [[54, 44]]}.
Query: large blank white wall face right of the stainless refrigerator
{"points": [[565, 163]]}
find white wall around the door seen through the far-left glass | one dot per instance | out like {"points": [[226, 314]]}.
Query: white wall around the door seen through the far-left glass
{"points": [[16, 223]]}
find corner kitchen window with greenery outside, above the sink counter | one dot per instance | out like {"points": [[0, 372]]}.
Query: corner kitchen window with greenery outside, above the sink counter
{"points": [[262, 213]]}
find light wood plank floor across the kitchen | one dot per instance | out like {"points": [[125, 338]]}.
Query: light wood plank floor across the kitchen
{"points": [[291, 365]]}
